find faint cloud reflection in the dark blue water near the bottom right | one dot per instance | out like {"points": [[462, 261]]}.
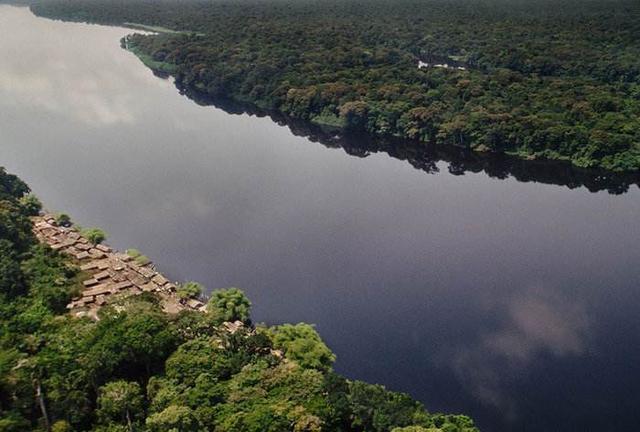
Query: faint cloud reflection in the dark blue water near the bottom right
{"points": [[535, 323]]}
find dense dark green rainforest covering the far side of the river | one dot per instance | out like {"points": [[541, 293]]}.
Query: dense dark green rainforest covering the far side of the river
{"points": [[543, 79]]}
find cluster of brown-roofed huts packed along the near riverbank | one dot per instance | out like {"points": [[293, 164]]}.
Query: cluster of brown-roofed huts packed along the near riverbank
{"points": [[112, 274]]}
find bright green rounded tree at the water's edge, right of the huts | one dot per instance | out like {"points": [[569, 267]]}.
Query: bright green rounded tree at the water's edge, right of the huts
{"points": [[303, 344]]}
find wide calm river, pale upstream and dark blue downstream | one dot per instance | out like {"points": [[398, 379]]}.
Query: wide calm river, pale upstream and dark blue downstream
{"points": [[504, 290]]}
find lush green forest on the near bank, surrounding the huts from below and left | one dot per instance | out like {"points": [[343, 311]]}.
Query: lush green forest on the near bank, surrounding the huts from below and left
{"points": [[140, 369]]}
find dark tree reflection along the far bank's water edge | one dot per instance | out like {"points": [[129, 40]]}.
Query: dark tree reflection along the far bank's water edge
{"points": [[426, 157]]}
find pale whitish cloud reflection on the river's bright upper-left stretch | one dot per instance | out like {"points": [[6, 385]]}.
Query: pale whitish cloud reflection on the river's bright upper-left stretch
{"points": [[93, 95]]}
